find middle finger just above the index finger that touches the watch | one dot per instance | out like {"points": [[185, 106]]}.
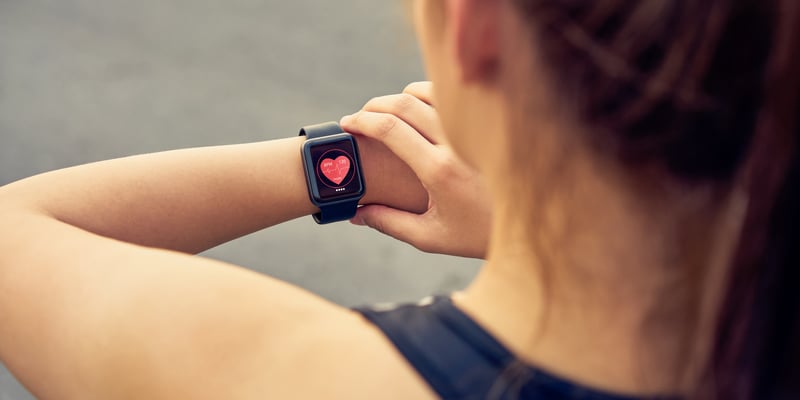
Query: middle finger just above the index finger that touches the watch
{"points": [[412, 110]]}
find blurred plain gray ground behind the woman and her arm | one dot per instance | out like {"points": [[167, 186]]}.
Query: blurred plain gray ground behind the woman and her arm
{"points": [[86, 80]]}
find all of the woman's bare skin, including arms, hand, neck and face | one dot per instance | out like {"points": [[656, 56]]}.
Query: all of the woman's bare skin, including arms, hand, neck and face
{"points": [[100, 299]]}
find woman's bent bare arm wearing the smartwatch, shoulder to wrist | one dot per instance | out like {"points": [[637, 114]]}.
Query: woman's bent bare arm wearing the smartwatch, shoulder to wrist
{"points": [[93, 306]]}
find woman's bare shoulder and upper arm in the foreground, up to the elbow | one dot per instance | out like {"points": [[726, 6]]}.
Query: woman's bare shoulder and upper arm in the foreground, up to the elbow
{"points": [[122, 321]]}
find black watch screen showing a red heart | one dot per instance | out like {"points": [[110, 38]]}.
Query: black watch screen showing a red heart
{"points": [[335, 169]]}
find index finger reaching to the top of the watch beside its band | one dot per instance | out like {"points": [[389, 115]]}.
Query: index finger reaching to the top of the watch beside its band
{"points": [[405, 142]]}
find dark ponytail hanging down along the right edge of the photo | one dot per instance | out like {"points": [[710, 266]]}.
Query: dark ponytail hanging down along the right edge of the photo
{"points": [[756, 354]]}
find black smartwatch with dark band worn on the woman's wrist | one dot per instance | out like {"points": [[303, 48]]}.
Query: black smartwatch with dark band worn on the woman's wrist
{"points": [[333, 172]]}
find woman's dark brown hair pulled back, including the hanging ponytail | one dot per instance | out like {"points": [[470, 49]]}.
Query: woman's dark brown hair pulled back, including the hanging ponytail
{"points": [[709, 90]]}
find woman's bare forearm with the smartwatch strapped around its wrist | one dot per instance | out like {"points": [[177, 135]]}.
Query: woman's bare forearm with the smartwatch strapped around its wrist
{"points": [[186, 200]]}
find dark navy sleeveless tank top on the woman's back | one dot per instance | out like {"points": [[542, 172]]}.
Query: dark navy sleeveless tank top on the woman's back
{"points": [[460, 360]]}
